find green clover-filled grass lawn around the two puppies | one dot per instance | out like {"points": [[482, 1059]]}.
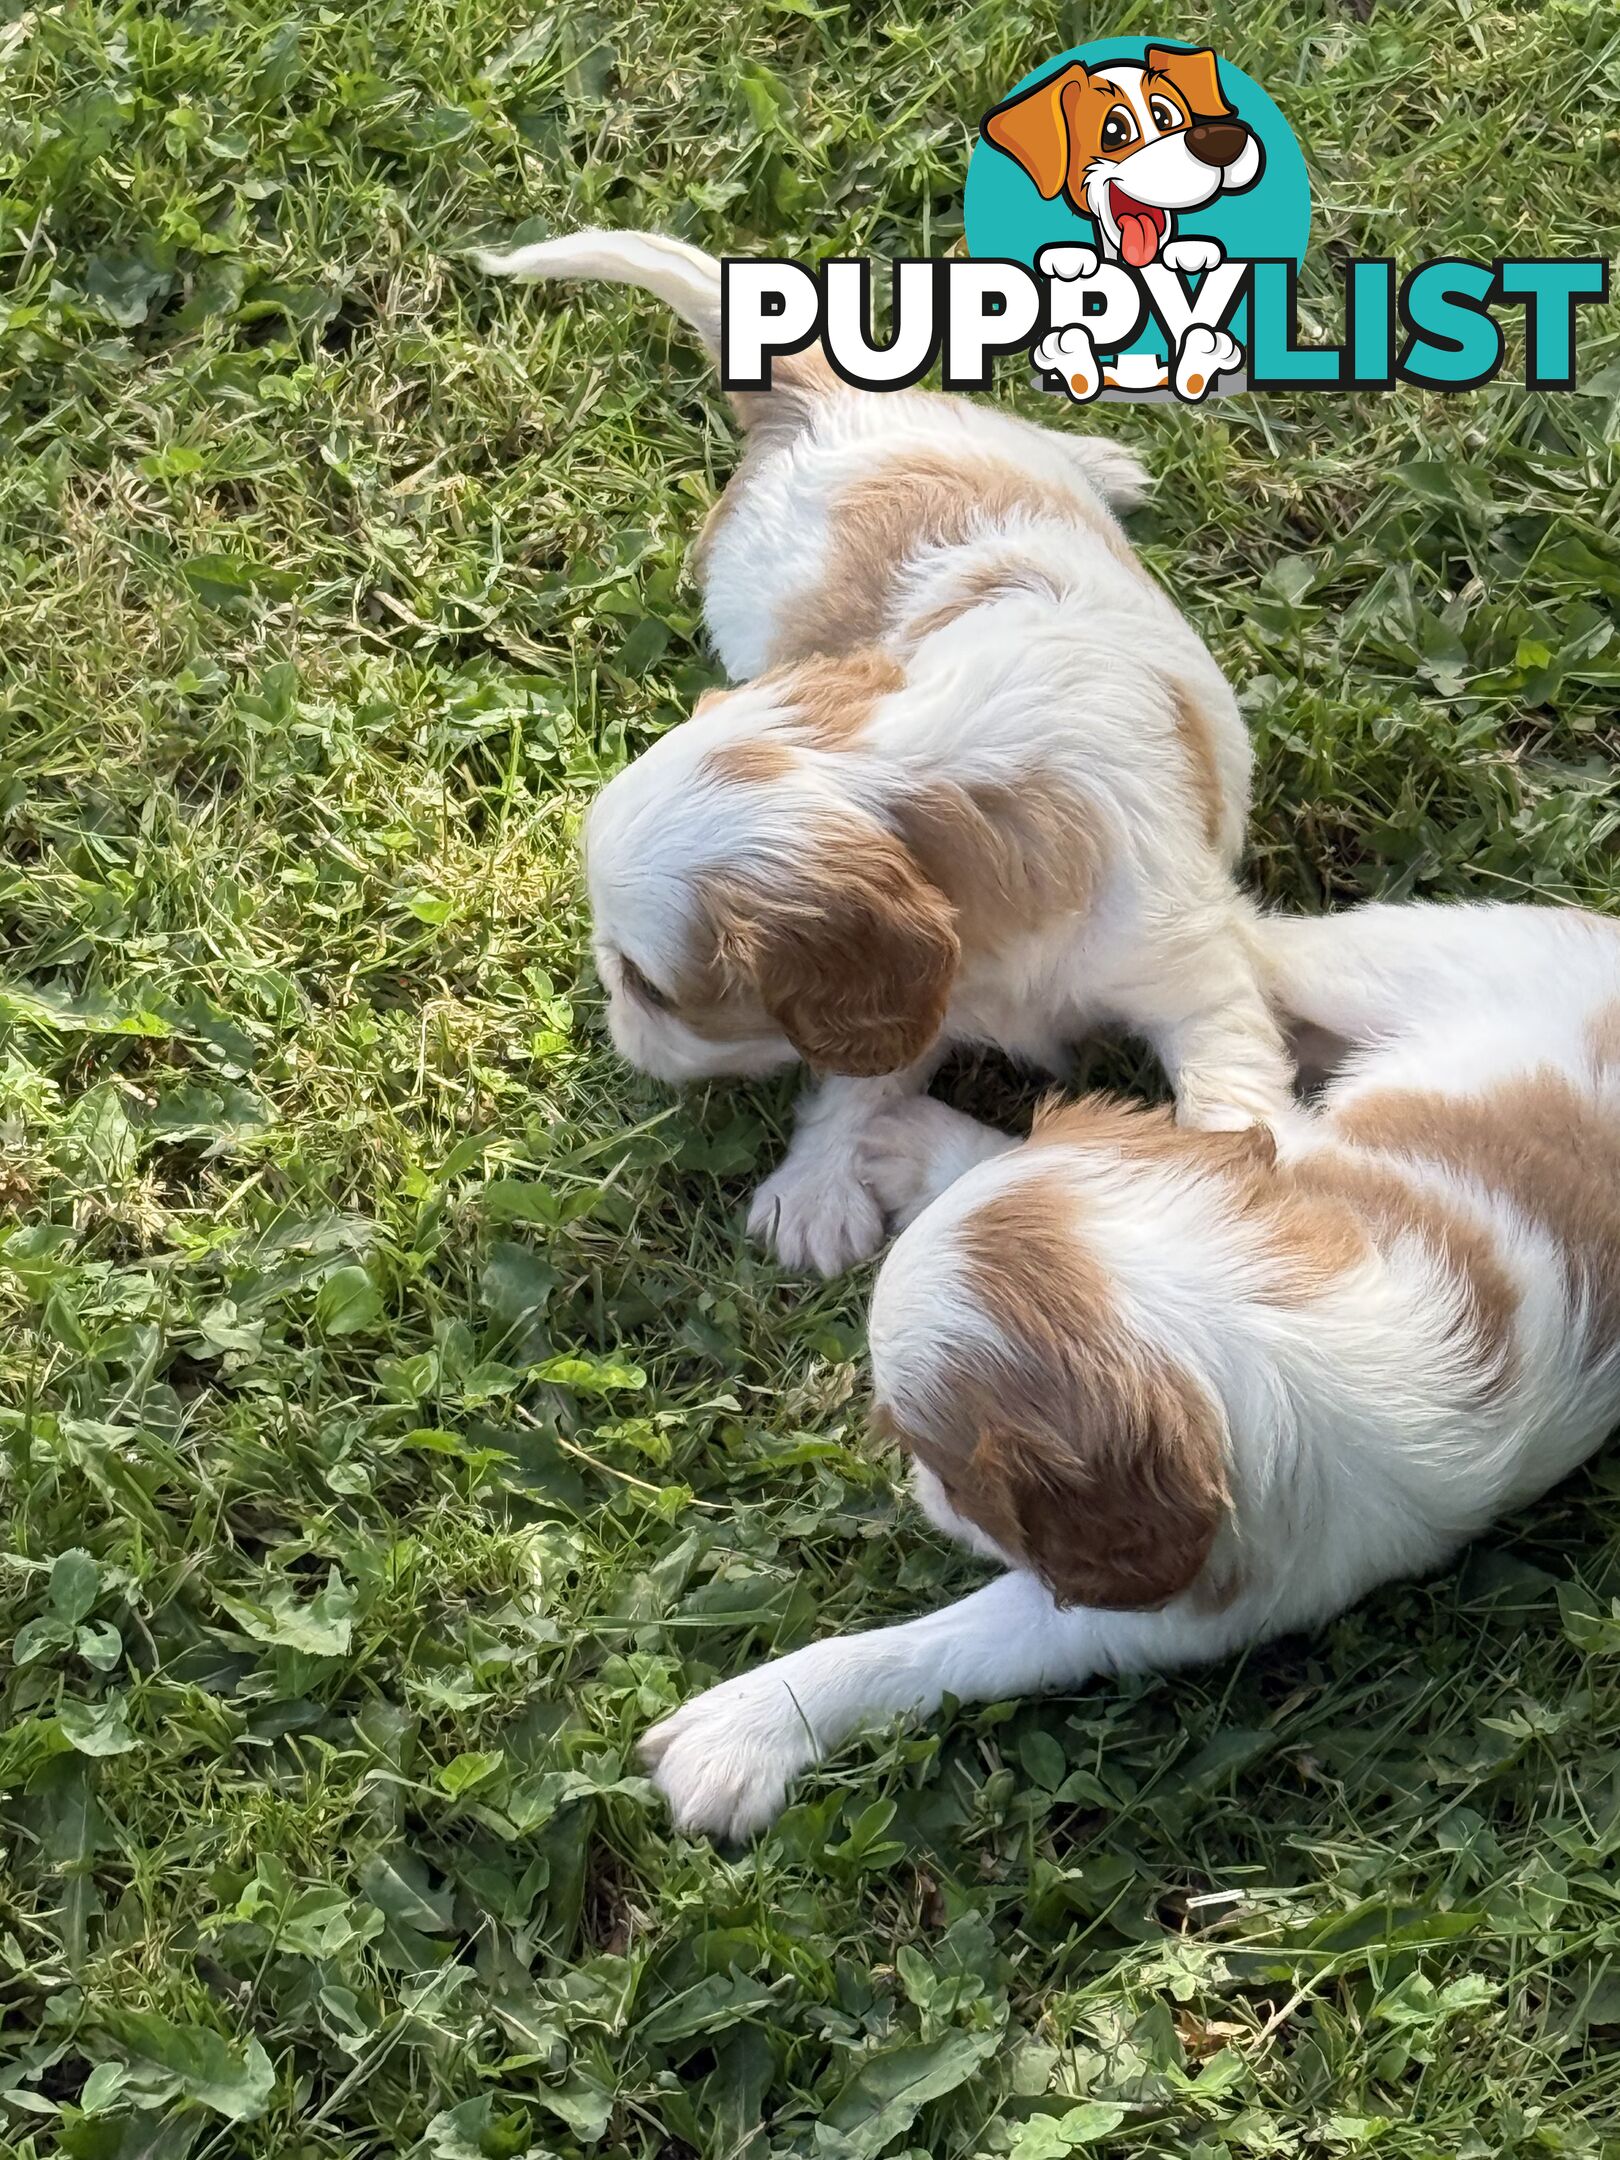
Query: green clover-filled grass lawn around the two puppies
{"points": [[396, 1420]]}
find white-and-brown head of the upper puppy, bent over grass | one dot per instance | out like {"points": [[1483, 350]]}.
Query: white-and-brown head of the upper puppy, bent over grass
{"points": [[751, 908]]}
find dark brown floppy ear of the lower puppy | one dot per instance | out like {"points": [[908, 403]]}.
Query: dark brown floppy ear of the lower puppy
{"points": [[1118, 1509]]}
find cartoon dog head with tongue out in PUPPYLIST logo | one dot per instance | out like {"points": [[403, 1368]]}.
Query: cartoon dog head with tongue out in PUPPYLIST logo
{"points": [[1129, 144]]}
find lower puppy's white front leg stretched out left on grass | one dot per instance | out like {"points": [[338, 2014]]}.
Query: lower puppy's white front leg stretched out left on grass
{"points": [[725, 1759]]}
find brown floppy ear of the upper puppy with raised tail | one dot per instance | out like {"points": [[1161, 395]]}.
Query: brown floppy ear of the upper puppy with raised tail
{"points": [[856, 960]]}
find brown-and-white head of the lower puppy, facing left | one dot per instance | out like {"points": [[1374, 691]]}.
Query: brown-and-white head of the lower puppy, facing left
{"points": [[1044, 1429]]}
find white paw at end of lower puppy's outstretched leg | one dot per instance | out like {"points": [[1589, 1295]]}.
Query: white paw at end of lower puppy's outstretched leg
{"points": [[727, 1757]]}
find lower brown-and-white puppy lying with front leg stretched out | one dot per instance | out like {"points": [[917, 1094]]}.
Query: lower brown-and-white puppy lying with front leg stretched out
{"points": [[1200, 1390]]}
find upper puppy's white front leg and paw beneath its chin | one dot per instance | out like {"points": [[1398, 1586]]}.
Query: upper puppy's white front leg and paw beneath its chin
{"points": [[818, 1211]]}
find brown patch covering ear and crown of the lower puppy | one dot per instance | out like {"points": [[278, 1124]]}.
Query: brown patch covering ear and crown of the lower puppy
{"points": [[1083, 1453]]}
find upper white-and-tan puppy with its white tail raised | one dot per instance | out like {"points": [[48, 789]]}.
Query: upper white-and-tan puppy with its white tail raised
{"points": [[982, 783]]}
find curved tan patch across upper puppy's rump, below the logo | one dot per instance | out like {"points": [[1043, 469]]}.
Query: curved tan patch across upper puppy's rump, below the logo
{"points": [[906, 509]]}
